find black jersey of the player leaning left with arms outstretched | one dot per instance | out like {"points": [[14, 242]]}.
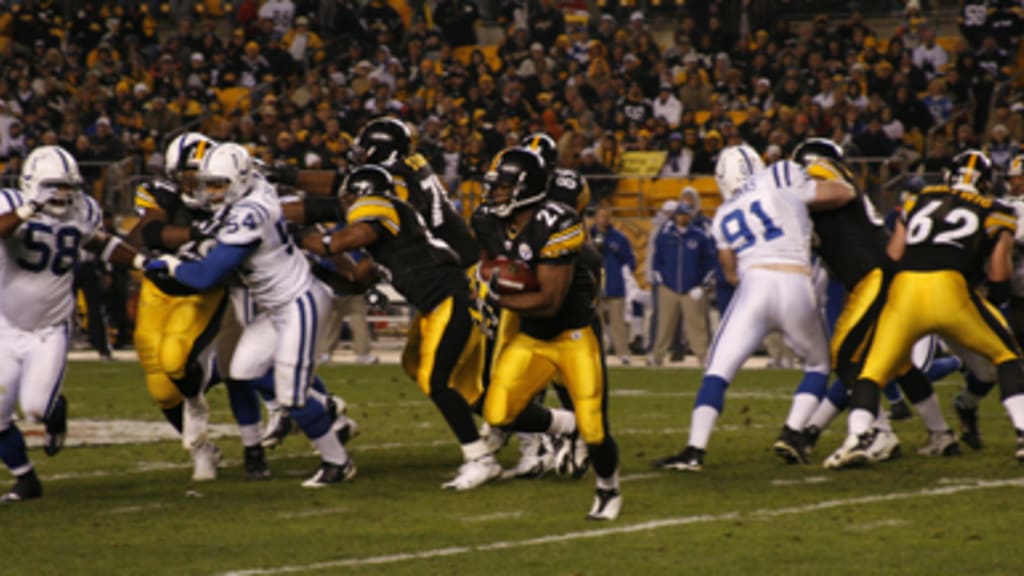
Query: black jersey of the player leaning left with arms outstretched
{"points": [[423, 269]]}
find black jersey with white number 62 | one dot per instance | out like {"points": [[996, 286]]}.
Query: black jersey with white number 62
{"points": [[954, 230]]}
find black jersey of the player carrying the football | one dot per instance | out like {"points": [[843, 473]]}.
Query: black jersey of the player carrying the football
{"points": [[553, 236]]}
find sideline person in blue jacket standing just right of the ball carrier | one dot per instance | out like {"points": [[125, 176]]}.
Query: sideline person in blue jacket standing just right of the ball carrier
{"points": [[619, 265]]}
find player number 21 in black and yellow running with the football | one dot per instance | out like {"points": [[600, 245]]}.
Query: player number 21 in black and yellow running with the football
{"points": [[559, 333]]}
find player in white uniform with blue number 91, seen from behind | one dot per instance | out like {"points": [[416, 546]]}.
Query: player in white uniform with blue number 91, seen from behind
{"points": [[763, 233]]}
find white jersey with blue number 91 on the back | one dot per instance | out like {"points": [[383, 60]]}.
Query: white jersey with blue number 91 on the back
{"points": [[766, 222]]}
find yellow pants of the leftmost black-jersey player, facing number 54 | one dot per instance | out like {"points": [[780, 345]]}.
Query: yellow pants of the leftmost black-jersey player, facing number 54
{"points": [[167, 332]]}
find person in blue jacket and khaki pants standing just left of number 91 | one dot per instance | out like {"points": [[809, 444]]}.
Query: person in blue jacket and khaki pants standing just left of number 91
{"points": [[682, 263]]}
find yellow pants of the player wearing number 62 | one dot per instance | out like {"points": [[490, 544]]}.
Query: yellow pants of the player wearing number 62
{"points": [[942, 303]]}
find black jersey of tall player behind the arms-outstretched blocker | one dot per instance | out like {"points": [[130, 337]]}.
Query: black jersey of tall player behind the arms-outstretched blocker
{"points": [[417, 185]]}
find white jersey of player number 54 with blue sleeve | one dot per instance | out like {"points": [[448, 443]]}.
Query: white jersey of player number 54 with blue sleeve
{"points": [[277, 273]]}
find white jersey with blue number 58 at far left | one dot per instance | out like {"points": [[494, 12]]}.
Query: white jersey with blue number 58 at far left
{"points": [[37, 263]]}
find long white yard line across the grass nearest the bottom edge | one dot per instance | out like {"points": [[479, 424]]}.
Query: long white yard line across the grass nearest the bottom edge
{"points": [[629, 529]]}
